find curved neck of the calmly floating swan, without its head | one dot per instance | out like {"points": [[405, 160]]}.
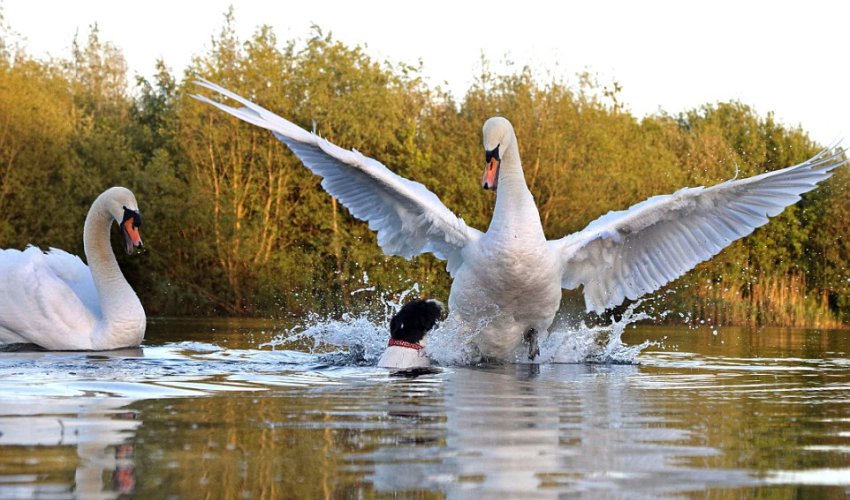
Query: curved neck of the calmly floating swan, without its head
{"points": [[119, 304]]}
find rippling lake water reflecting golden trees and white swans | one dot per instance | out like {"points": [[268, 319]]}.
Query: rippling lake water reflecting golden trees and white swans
{"points": [[227, 410]]}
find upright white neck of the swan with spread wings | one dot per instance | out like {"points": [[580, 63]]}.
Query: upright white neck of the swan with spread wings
{"points": [[515, 212]]}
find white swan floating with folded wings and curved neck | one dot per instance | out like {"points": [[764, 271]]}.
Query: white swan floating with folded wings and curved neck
{"points": [[55, 301]]}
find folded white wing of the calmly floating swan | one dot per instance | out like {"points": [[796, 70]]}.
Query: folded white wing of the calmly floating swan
{"points": [[36, 305]]}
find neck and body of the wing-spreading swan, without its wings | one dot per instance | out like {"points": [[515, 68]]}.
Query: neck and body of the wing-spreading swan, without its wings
{"points": [[510, 266]]}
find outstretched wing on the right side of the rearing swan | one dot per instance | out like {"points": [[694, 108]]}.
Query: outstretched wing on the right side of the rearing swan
{"points": [[632, 252]]}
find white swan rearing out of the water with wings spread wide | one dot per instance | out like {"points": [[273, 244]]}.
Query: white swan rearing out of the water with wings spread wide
{"points": [[509, 279]]}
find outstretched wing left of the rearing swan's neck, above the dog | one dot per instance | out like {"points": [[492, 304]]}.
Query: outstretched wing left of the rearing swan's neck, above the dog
{"points": [[408, 218]]}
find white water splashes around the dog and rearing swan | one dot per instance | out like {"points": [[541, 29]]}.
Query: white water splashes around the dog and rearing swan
{"points": [[360, 338]]}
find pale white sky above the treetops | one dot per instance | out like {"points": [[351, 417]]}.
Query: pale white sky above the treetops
{"points": [[789, 58]]}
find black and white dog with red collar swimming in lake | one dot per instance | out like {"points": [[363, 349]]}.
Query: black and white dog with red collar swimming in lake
{"points": [[407, 329]]}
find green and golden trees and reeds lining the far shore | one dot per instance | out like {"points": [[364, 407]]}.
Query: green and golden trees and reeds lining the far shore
{"points": [[235, 225]]}
